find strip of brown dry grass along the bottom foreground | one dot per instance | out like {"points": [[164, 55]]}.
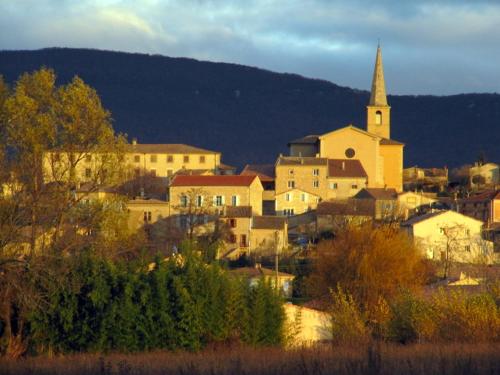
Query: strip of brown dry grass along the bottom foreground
{"points": [[416, 359]]}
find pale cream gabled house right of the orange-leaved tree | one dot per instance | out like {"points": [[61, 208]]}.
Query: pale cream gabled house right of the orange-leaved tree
{"points": [[440, 232]]}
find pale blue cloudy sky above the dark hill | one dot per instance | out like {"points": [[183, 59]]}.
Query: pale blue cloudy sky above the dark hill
{"points": [[437, 47]]}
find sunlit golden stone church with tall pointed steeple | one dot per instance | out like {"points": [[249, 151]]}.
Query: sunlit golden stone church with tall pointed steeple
{"points": [[380, 156]]}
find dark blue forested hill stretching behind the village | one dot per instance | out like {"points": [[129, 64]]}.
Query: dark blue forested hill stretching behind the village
{"points": [[250, 114]]}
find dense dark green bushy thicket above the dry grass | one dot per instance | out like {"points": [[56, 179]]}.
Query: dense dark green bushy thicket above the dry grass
{"points": [[182, 303]]}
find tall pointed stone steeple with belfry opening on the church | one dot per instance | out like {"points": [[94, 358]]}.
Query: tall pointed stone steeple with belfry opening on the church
{"points": [[378, 111]]}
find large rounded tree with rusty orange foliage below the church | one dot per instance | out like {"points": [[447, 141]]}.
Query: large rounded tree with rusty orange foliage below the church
{"points": [[368, 263]]}
